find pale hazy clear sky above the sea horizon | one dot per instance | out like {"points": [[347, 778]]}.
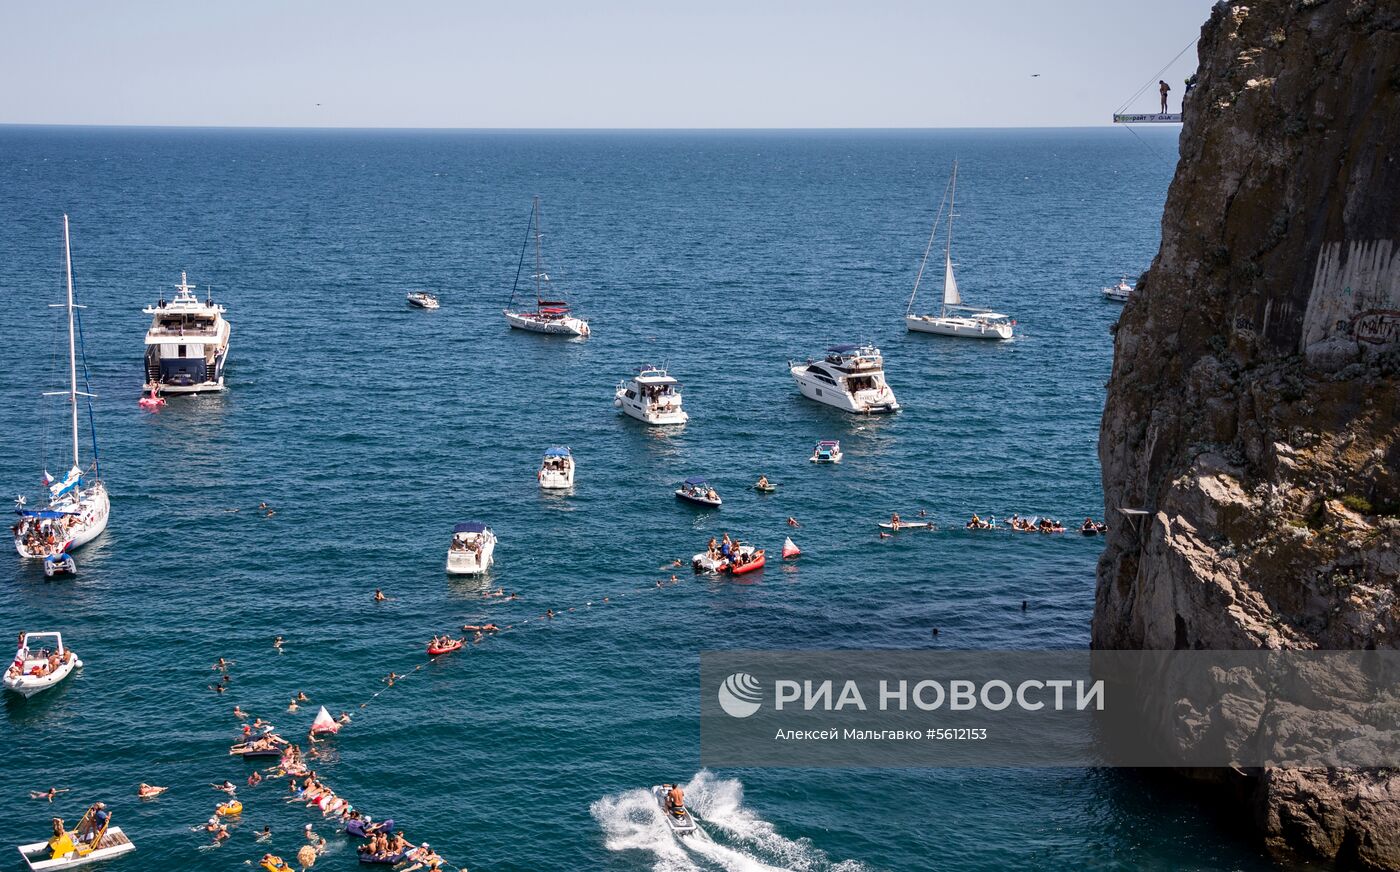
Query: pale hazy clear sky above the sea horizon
{"points": [[590, 64]]}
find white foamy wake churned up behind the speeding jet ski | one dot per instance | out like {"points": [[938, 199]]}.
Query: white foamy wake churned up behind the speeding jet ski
{"points": [[731, 838]]}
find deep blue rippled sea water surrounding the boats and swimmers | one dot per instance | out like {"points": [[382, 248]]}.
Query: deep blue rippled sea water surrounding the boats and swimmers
{"points": [[372, 429]]}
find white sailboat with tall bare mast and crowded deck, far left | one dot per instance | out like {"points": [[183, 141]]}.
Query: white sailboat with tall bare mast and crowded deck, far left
{"points": [[79, 506]]}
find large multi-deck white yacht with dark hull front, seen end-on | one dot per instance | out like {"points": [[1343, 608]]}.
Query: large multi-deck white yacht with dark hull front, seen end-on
{"points": [[187, 345]]}
